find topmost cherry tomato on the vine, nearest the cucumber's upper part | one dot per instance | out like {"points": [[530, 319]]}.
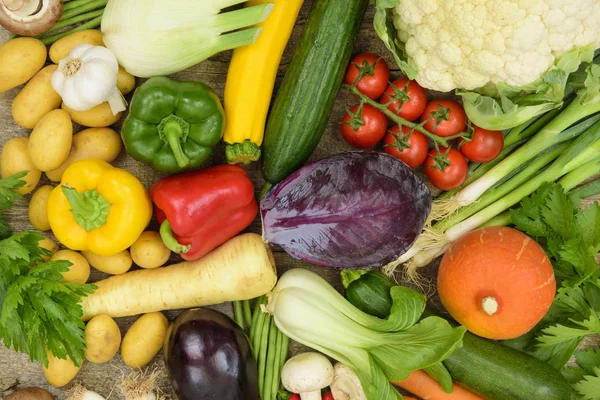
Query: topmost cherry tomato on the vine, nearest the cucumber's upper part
{"points": [[373, 84]]}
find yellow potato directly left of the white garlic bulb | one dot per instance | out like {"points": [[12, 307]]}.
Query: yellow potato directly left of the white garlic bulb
{"points": [[36, 99]]}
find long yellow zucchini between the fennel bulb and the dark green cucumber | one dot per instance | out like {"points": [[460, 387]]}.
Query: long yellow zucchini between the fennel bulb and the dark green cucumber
{"points": [[250, 82]]}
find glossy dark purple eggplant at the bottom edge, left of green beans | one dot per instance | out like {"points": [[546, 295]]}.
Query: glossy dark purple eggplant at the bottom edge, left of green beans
{"points": [[208, 357]]}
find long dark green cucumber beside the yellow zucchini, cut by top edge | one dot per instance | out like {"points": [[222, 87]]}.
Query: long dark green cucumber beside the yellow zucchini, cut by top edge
{"points": [[307, 94]]}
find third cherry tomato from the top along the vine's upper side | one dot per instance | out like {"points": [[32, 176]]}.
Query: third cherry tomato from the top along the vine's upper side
{"points": [[455, 123]]}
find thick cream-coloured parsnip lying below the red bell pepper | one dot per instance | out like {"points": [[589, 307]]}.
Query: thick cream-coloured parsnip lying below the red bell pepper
{"points": [[242, 268]]}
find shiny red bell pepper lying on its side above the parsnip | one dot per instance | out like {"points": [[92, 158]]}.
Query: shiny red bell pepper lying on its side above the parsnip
{"points": [[200, 210]]}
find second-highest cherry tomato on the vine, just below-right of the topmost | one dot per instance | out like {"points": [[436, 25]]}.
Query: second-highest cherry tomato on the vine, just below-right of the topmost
{"points": [[414, 104]]}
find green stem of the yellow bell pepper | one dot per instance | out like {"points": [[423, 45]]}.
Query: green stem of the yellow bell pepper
{"points": [[90, 209]]}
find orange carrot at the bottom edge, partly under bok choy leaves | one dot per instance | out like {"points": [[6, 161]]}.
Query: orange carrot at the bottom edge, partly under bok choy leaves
{"points": [[427, 388]]}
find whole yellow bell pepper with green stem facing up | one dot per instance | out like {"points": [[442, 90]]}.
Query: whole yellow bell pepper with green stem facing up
{"points": [[99, 208]]}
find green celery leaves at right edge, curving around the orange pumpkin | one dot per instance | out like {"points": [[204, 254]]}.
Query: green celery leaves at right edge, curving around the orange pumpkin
{"points": [[571, 238]]}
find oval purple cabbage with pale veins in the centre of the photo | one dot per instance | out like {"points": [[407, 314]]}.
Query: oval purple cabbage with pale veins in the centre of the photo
{"points": [[350, 210]]}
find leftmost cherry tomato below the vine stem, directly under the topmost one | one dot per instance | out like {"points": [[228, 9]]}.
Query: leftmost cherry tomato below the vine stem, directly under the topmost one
{"points": [[370, 132]]}
